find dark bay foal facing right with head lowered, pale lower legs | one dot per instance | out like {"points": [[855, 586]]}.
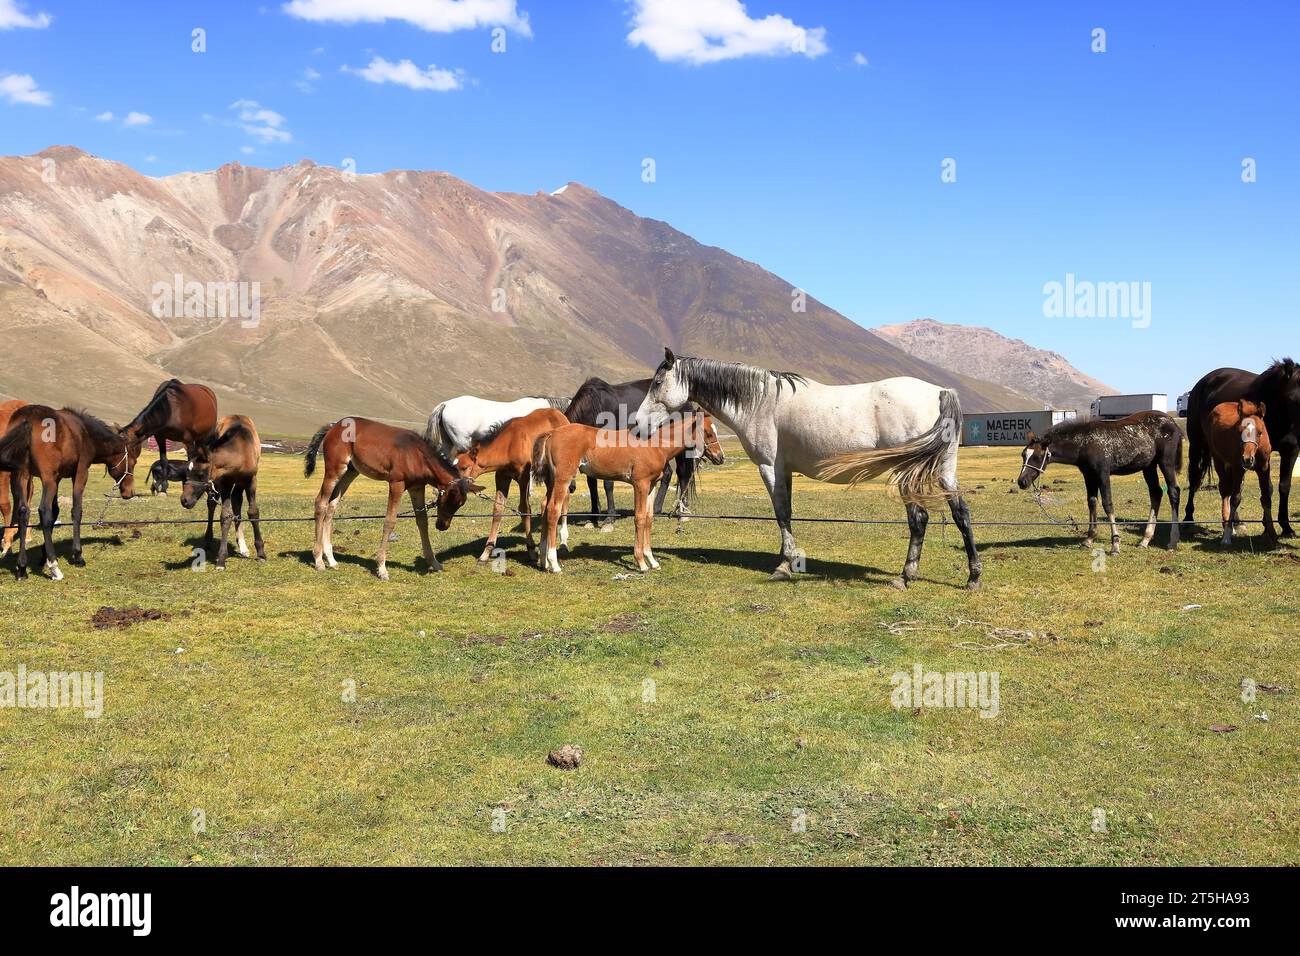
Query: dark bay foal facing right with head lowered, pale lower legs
{"points": [[398, 456]]}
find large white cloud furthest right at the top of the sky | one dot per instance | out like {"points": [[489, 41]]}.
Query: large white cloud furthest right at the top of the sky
{"points": [[707, 32]]}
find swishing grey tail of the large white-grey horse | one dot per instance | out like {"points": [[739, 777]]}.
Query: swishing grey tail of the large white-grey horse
{"points": [[915, 468]]}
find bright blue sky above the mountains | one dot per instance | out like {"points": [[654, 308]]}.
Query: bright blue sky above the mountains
{"points": [[807, 136]]}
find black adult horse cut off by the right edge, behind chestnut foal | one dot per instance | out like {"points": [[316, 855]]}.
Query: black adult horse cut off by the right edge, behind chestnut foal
{"points": [[1279, 390]]}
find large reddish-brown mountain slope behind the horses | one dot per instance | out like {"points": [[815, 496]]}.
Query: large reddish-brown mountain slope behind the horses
{"points": [[376, 295]]}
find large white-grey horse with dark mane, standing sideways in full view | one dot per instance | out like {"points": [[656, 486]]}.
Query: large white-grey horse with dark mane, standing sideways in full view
{"points": [[905, 429]]}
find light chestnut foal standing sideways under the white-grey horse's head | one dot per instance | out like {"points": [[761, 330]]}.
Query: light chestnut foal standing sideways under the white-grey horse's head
{"points": [[616, 456]]}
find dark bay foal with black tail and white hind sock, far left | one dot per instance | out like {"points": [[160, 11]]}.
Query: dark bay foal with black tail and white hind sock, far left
{"points": [[54, 445]]}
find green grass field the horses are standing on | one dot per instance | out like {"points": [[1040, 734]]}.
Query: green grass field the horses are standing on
{"points": [[768, 699]]}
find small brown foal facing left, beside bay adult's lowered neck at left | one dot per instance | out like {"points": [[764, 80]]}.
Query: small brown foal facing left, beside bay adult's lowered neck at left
{"points": [[226, 471]]}
